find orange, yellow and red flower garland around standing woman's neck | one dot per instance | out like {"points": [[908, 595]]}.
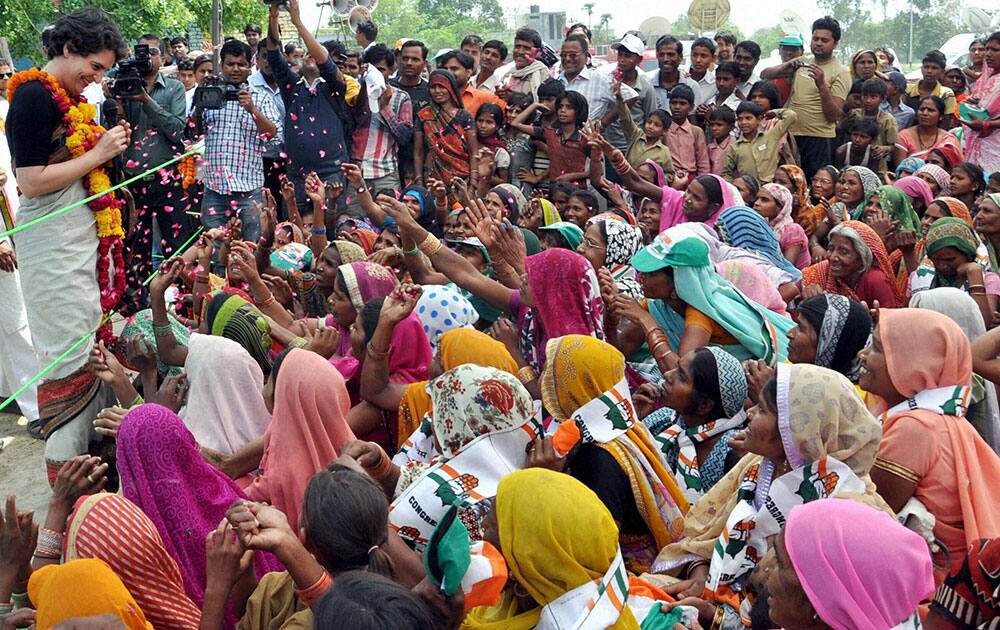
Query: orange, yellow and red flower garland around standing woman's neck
{"points": [[82, 135]]}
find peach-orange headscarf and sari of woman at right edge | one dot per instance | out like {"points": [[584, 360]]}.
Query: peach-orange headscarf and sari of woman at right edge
{"points": [[926, 350]]}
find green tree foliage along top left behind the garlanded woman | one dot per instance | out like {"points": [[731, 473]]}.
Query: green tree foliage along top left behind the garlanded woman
{"points": [[21, 21]]}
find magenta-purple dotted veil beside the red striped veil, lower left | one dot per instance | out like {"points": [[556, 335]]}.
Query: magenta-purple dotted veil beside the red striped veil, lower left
{"points": [[164, 474]]}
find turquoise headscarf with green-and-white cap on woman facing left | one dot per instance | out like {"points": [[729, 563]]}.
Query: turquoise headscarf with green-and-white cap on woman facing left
{"points": [[760, 332]]}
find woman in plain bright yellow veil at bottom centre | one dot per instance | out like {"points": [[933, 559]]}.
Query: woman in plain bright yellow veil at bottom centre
{"points": [[556, 536]]}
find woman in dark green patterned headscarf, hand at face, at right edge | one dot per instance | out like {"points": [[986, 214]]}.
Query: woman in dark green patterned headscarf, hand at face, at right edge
{"points": [[956, 258]]}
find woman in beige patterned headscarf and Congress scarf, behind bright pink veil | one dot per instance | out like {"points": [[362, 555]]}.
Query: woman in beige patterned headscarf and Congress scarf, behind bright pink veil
{"points": [[827, 451]]}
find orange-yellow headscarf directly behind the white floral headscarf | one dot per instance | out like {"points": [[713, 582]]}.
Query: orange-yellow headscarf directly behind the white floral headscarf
{"points": [[456, 347]]}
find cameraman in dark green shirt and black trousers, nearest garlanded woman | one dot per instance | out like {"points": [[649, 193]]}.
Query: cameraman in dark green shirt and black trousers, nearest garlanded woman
{"points": [[158, 120]]}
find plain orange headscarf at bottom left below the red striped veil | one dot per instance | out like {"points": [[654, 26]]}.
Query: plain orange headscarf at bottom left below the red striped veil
{"points": [[82, 588]]}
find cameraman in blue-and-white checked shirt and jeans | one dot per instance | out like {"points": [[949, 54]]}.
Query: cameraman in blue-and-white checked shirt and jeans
{"points": [[236, 137]]}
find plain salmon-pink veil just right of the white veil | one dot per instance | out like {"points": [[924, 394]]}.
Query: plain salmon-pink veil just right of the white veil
{"points": [[308, 427]]}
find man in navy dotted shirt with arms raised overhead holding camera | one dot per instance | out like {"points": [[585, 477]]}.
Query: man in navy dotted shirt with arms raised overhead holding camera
{"points": [[315, 109]]}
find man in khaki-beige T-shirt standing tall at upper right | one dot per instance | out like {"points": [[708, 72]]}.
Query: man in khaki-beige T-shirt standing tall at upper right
{"points": [[819, 88]]}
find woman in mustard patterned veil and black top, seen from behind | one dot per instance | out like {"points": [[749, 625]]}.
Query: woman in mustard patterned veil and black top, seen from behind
{"points": [[628, 473]]}
